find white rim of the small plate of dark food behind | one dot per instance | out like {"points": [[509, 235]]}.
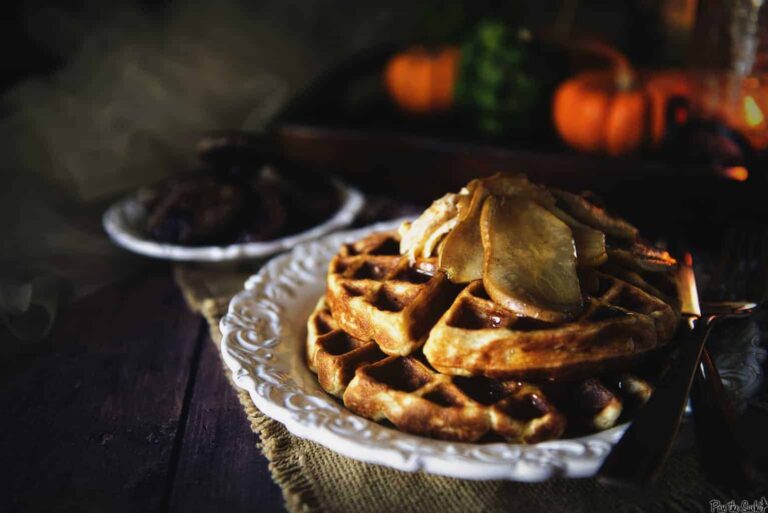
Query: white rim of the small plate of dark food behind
{"points": [[125, 220]]}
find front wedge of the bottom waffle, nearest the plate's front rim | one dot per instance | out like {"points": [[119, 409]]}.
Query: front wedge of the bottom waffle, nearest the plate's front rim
{"points": [[419, 400]]}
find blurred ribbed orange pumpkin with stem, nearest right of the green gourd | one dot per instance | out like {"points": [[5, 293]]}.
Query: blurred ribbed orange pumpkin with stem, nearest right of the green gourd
{"points": [[615, 111]]}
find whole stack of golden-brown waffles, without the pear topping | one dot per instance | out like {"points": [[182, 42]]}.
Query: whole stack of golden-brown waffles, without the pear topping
{"points": [[398, 342]]}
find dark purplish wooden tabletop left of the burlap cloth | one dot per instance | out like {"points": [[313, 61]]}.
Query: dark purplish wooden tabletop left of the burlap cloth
{"points": [[126, 408]]}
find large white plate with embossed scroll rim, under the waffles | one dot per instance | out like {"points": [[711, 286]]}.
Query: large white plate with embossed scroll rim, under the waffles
{"points": [[263, 345]]}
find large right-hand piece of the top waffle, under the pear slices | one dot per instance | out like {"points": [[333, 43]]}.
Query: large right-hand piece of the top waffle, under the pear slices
{"points": [[621, 324]]}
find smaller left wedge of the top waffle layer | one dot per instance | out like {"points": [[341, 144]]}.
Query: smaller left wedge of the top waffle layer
{"points": [[375, 294]]}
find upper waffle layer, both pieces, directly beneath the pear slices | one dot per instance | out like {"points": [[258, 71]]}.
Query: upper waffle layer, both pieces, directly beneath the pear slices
{"points": [[376, 294]]}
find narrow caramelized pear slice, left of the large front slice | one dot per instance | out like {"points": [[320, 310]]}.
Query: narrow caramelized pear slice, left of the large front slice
{"points": [[461, 254]]}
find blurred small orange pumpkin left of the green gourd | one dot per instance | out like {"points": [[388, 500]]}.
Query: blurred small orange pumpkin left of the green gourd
{"points": [[422, 81]]}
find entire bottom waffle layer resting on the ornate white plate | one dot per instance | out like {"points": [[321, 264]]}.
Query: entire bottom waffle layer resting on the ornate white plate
{"points": [[407, 392]]}
